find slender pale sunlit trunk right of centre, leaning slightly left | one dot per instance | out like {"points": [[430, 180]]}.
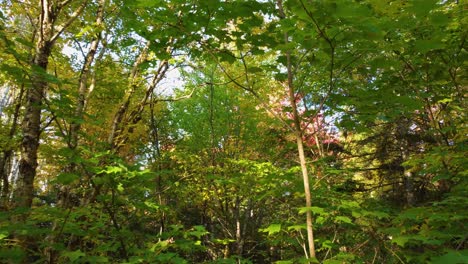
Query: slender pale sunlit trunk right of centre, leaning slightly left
{"points": [[299, 142]]}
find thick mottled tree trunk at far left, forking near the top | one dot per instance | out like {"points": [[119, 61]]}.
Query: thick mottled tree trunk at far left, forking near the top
{"points": [[31, 125]]}
